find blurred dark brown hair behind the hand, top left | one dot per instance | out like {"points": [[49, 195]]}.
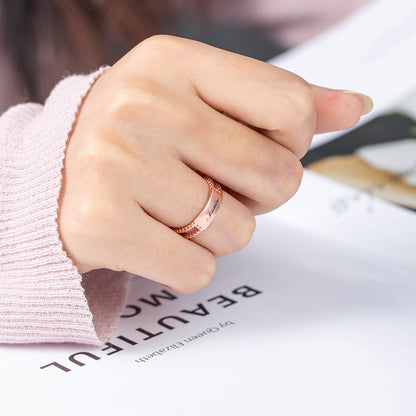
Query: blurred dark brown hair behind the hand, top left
{"points": [[46, 39]]}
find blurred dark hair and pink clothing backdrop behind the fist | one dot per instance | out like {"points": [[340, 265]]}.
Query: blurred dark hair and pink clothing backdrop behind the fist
{"points": [[41, 41]]}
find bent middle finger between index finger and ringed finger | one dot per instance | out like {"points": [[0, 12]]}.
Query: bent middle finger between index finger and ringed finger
{"points": [[260, 172]]}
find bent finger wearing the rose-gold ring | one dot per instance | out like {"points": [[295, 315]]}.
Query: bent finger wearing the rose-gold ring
{"points": [[177, 194]]}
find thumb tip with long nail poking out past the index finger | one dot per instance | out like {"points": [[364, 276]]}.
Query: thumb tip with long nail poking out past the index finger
{"points": [[339, 110]]}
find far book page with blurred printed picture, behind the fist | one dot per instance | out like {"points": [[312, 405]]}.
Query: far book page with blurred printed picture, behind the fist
{"points": [[370, 52]]}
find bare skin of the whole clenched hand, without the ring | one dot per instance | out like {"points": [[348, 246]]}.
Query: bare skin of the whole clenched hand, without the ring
{"points": [[171, 108]]}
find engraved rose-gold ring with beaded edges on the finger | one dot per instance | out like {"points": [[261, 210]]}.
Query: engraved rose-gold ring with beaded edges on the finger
{"points": [[204, 219]]}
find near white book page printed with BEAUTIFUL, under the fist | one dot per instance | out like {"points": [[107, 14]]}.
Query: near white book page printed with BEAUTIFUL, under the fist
{"points": [[292, 323]]}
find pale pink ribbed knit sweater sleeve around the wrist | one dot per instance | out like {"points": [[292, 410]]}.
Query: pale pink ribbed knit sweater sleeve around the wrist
{"points": [[43, 298]]}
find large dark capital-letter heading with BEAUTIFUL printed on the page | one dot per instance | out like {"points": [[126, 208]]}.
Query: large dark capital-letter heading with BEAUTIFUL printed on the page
{"points": [[168, 322]]}
